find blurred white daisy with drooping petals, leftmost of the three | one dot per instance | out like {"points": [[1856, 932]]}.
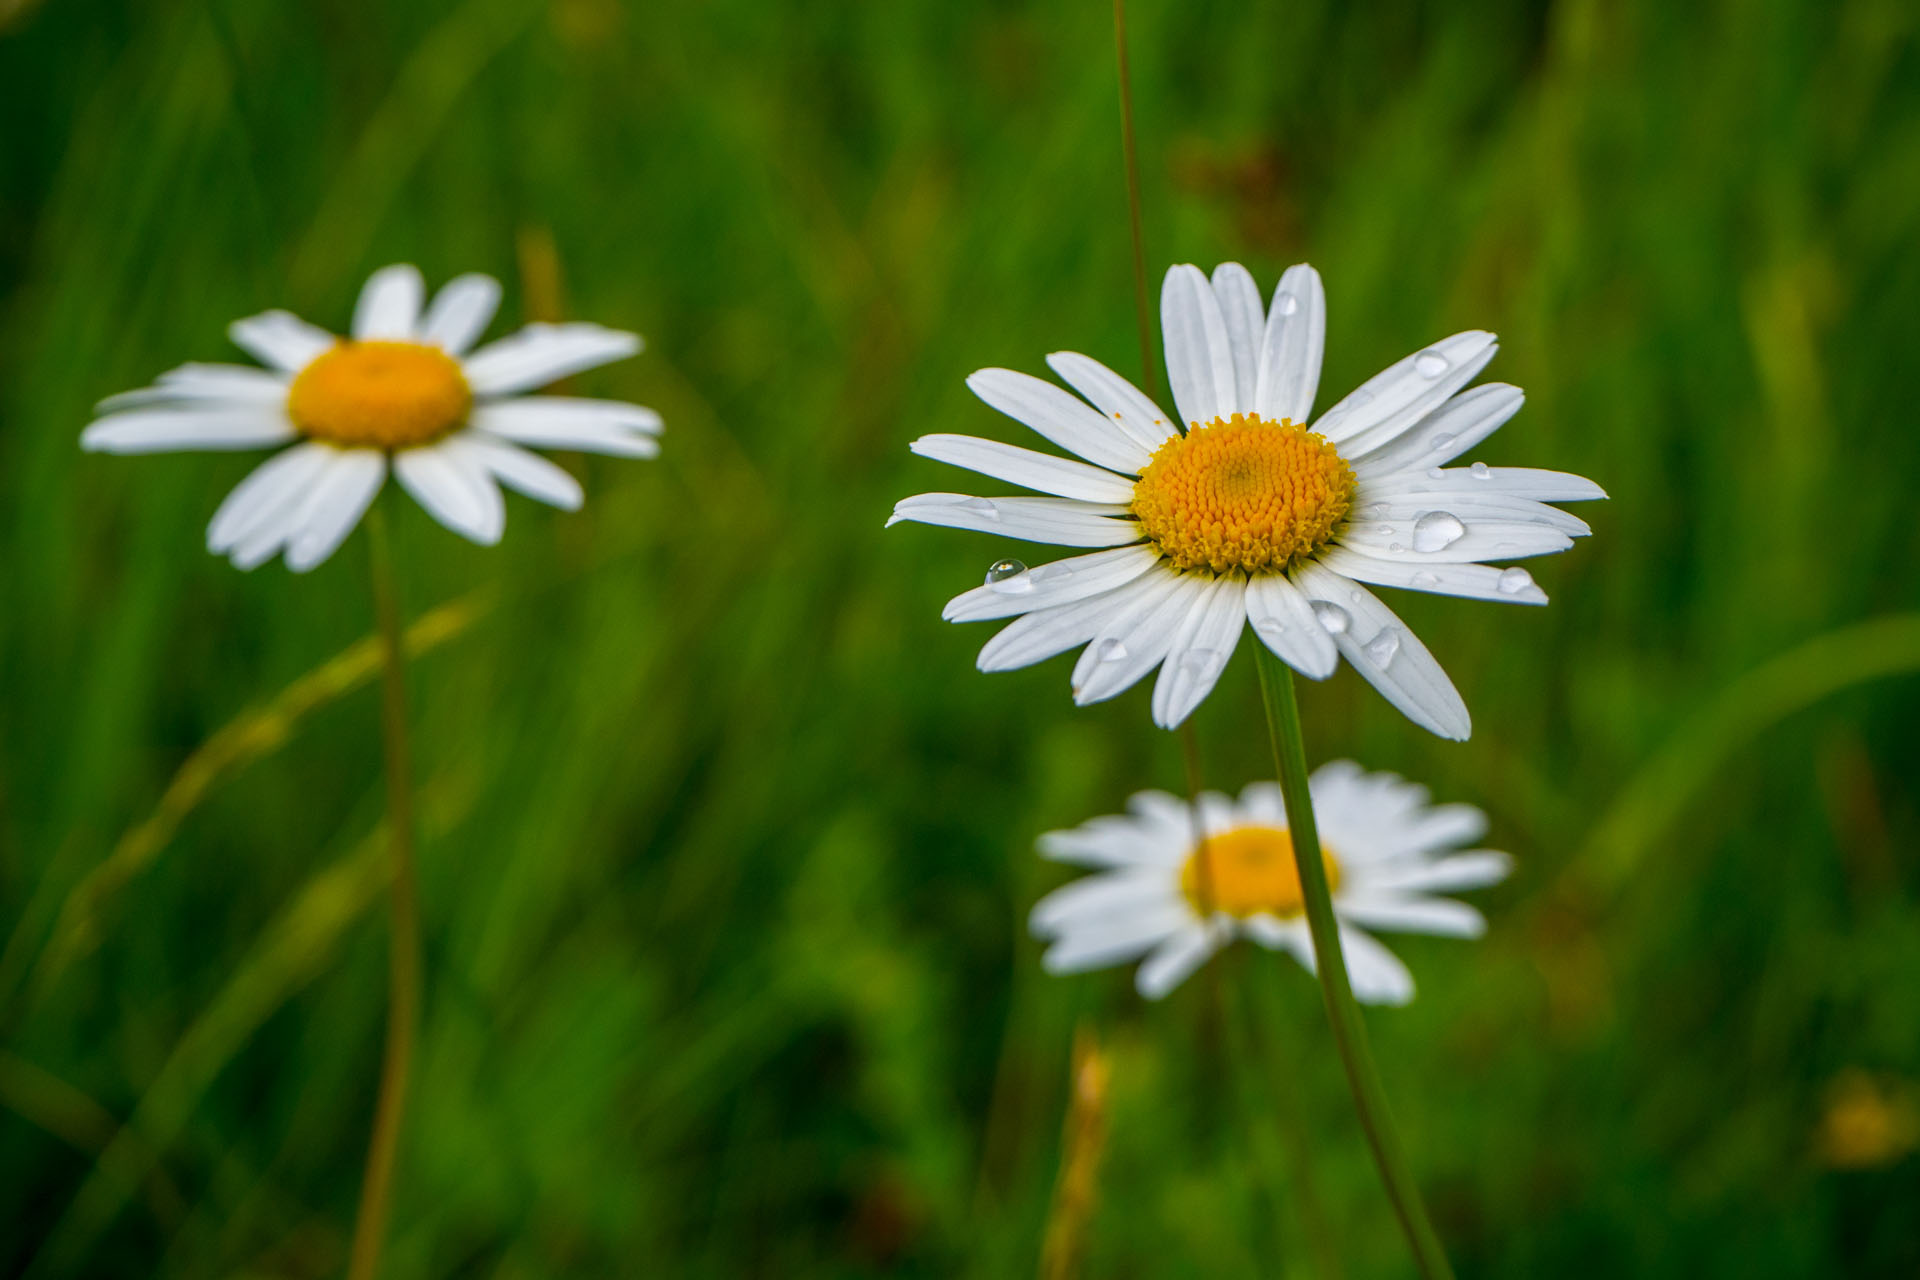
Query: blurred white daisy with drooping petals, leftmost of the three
{"points": [[408, 392]]}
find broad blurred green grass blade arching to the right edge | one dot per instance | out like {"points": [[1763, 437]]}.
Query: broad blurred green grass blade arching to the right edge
{"points": [[1765, 696]]}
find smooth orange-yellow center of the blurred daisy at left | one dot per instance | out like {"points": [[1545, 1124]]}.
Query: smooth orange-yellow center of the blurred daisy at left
{"points": [[383, 394]]}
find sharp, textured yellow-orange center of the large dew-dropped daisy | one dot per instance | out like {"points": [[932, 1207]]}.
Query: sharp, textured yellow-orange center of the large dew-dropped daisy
{"points": [[1243, 492]]}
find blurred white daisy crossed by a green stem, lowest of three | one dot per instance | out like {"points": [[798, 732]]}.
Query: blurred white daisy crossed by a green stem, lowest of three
{"points": [[1176, 899]]}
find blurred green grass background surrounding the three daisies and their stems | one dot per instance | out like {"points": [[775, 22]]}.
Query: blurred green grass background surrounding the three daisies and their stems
{"points": [[727, 845]]}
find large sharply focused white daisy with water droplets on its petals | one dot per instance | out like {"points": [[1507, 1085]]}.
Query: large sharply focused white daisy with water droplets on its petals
{"points": [[1247, 513]]}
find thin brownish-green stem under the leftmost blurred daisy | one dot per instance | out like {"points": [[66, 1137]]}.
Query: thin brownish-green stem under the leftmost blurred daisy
{"points": [[404, 957]]}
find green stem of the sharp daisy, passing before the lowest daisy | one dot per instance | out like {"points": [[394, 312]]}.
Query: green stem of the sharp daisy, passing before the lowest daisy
{"points": [[1349, 1030]]}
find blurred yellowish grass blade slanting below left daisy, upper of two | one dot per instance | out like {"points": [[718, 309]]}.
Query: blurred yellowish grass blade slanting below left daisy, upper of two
{"points": [[252, 736]]}
